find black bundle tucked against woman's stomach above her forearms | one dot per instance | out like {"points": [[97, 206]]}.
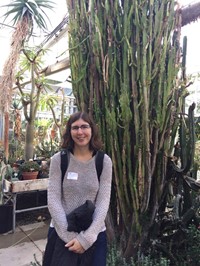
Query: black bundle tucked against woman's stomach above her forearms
{"points": [[80, 218]]}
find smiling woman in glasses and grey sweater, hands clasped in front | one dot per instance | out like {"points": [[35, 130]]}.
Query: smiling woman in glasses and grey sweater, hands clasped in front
{"points": [[80, 184]]}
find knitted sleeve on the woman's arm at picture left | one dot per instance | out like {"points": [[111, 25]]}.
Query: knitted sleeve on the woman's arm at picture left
{"points": [[55, 202]]}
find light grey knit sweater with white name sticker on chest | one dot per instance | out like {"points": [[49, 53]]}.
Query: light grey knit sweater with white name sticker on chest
{"points": [[80, 184]]}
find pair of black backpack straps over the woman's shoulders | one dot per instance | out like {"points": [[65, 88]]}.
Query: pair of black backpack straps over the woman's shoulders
{"points": [[65, 162]]}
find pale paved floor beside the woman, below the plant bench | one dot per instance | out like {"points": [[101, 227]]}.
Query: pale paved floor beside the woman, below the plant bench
{"points": [[24, 246]]}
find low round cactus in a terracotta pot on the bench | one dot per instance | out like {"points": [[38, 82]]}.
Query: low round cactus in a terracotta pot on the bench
{"points": [[29, 170]]}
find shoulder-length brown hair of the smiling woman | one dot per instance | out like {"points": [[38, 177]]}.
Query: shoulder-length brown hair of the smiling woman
{"points": [[95, 142]]}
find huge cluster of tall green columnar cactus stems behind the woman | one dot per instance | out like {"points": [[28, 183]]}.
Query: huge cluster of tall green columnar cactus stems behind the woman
{"points": [[125, 58]]}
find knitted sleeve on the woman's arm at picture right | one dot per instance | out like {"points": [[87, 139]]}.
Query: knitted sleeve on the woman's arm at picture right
{"points": [[88, 237]]}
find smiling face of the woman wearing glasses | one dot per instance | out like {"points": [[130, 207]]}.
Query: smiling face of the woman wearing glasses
{"points": [[81, 133]]}
